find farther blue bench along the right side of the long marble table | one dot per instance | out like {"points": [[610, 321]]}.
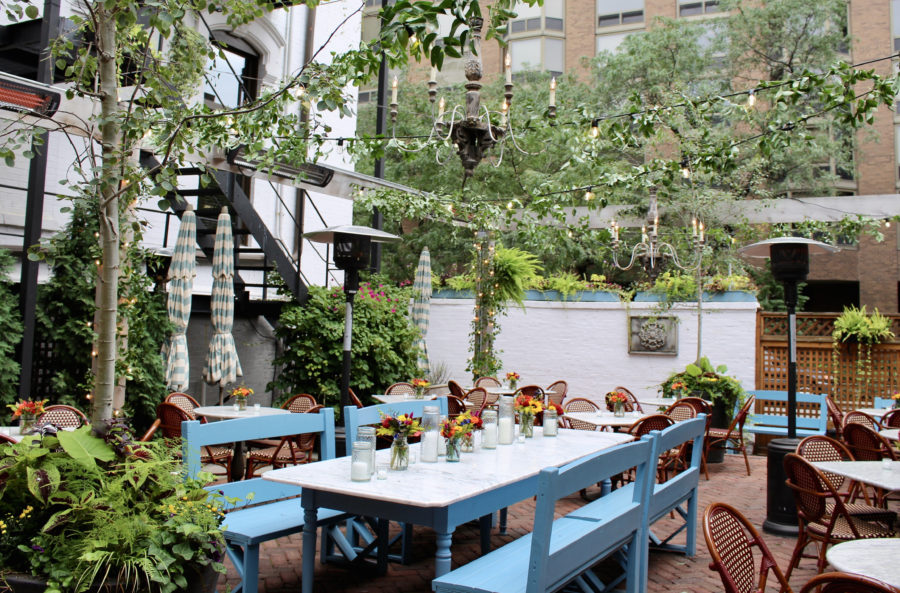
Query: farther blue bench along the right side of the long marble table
{"points": [[666, 497]]}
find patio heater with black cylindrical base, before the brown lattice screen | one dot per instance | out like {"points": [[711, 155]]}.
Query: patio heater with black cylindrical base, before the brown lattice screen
{"points": [[789, 260]]}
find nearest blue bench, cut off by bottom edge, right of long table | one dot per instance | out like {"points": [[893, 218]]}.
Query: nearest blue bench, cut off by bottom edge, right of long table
{"points": [[562, 551]]}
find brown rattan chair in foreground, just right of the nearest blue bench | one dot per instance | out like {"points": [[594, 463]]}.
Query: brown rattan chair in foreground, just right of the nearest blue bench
{"points": [[730, 539]]}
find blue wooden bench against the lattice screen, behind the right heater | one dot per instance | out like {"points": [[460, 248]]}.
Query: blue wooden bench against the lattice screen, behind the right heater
{"points": [[770, 414]]}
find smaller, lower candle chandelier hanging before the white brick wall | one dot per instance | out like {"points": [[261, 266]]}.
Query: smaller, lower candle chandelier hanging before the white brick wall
{"points": [[653, 255]]}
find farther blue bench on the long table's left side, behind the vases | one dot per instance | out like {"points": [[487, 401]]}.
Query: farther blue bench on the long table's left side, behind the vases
{"points": [[356, 527]]}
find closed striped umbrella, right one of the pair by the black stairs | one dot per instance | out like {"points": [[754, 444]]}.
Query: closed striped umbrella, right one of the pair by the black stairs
{"points": [[222, 364]]}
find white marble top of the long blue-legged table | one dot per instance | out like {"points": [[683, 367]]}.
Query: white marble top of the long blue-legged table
{"points": [[442, 484]]}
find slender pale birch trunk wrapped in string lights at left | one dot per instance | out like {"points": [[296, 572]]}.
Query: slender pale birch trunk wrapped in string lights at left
{"points": [[108, 276]]}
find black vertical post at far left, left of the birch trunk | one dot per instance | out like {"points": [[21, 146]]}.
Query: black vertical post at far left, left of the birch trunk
{"points": [[34, 209]]}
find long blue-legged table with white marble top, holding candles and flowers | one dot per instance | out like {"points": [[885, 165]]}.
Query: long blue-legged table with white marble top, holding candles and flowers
{"points": [[439, 495]]}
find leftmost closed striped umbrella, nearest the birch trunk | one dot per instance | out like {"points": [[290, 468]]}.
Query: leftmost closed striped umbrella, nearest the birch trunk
{"points": [[178, 305]]}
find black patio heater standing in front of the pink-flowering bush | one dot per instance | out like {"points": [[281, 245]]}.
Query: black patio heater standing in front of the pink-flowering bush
{"points": [[352, 250]]}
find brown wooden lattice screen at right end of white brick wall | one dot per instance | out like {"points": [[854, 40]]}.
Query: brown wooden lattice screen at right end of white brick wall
{"points": [[814, 360]]}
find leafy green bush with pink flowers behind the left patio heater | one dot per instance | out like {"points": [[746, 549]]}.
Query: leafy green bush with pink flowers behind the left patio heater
{"points": [[383, 338]]}
